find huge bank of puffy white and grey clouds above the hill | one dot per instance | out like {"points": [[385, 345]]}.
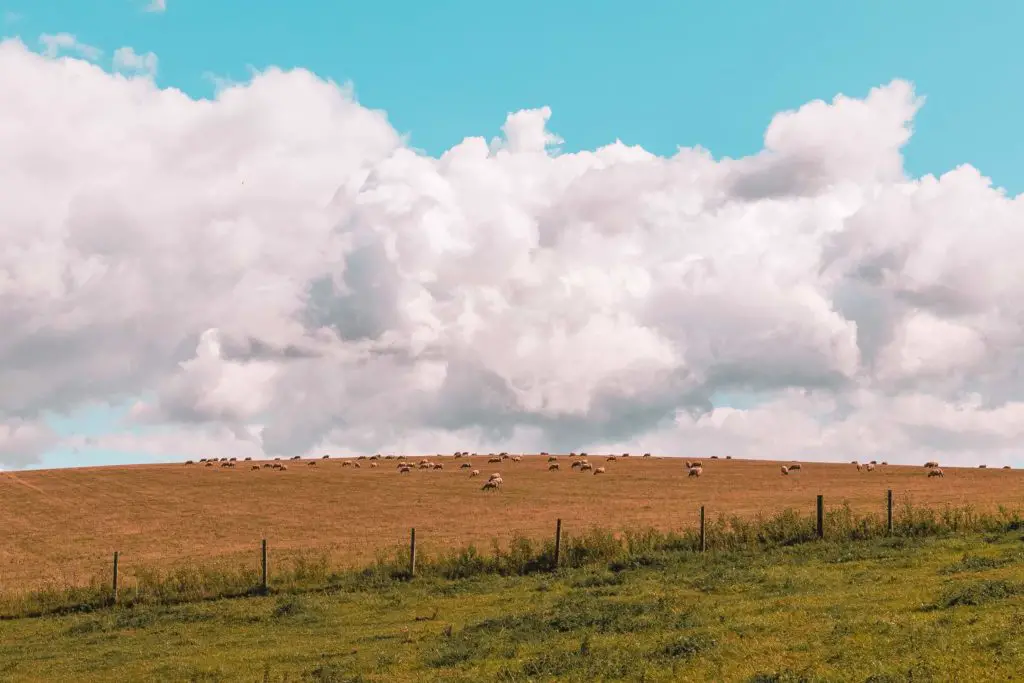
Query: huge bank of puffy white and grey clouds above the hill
{"points": [[281, 272]]}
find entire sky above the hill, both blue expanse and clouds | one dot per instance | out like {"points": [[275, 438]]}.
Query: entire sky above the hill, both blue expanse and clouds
{"points": [[352, 228]]}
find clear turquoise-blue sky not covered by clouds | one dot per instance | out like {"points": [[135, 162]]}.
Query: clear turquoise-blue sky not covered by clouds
{"points": [[673, 74]]}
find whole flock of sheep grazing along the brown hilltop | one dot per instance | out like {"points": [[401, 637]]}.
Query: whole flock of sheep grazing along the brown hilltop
{"points": [[580, 462]]}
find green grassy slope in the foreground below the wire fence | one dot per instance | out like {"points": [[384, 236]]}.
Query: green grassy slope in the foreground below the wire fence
{"points": [[914, 607]]}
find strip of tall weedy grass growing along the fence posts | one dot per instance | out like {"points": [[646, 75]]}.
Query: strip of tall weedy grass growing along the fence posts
{"points": [[521, 557]]}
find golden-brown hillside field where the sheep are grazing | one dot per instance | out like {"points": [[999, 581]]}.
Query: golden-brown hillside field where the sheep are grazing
{"points": [[61, 527]]}
